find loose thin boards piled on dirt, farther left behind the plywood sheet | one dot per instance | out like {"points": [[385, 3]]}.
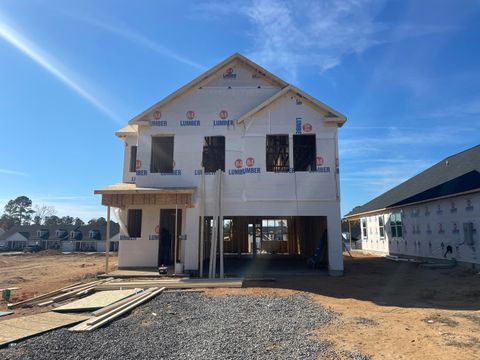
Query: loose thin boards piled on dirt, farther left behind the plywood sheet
{"points": [[68, 292]]}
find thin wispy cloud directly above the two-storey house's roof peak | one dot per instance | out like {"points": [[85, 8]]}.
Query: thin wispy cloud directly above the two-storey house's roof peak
{"points": [[290, 34]]}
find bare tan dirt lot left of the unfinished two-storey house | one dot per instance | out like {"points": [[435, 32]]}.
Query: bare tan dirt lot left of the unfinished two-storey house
{"points": [[39, 273]]}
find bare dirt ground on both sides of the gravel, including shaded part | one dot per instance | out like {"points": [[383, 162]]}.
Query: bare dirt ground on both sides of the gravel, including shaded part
{"points": [[386, 309]]}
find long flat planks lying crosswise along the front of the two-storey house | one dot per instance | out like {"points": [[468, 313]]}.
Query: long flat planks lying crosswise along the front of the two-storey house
{"points": [[171, 284]]}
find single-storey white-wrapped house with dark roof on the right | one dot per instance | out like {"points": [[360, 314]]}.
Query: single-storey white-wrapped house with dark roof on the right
{"points": [[435, 214]]}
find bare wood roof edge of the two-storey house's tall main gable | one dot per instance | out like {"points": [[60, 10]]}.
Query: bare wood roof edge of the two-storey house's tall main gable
{"points": [[207, 76]]}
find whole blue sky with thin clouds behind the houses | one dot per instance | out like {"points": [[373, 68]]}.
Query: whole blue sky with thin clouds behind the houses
{"points": [[406, 74]]}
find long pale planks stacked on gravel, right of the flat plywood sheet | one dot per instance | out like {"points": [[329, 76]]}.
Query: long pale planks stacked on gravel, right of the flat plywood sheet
{"points": [[116, 310]]}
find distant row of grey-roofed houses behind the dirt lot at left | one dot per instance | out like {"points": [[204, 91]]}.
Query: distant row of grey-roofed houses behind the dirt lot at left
{"points": [[66, 237]]}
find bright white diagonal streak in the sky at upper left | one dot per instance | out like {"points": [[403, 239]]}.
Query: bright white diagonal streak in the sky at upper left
{"points": [[51, 65]]}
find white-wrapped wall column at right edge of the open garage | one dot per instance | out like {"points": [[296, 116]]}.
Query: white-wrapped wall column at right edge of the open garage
{"points": [[335, 251]]}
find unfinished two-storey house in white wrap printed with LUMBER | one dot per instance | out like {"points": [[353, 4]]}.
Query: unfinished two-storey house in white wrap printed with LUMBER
{"points": [[277, 147]]}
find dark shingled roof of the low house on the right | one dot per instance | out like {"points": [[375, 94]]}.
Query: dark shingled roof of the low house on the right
{"points": [[456, 174]]}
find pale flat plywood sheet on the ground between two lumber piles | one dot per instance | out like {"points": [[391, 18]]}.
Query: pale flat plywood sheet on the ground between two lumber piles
{"points": [[96, 301]]}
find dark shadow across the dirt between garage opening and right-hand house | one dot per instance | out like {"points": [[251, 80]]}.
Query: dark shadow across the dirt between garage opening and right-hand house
{"points": [[388, 283]]}
